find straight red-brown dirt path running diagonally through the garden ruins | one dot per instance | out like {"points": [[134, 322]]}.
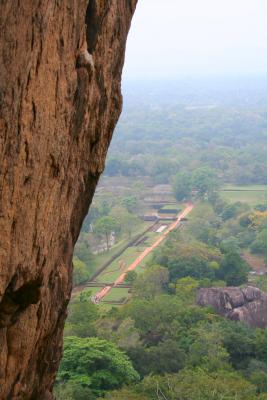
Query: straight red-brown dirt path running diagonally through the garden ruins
{"points": [[103, 292]]}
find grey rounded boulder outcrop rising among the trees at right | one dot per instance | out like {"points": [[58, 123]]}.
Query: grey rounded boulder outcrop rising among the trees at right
{"points": [[248, 305]]}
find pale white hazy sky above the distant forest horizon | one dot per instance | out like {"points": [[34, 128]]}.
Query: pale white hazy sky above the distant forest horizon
{"points": [[170, 38]]}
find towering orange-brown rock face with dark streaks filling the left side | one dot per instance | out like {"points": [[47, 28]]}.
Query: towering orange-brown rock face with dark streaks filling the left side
{"points": [[60, 72]]}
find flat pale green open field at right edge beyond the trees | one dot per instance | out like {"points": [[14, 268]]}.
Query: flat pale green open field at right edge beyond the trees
{"points": [[251, 195]]}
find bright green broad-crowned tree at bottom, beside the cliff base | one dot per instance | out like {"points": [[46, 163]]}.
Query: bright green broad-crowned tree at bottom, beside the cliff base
{"points": [[95, 364]]}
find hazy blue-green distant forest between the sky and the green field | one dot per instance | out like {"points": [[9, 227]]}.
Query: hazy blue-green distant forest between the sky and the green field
{"points": [[171, 126]]}
